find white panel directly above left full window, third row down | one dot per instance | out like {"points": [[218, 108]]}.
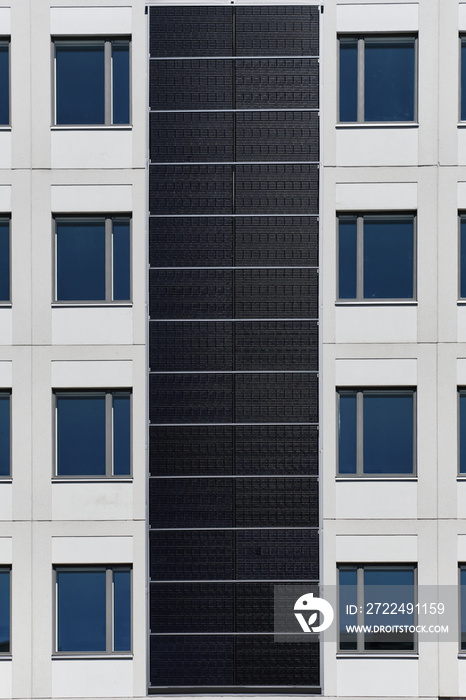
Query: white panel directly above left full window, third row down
{"points": [[99, 373]]}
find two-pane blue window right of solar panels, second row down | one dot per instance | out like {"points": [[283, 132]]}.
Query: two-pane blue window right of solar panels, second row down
{"points": [[376, 256]]}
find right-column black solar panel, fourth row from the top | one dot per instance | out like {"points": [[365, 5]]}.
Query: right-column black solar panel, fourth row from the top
{"points": [[279, 189]]}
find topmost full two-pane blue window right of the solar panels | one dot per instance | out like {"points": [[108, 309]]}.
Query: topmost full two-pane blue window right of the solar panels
{"points": [[377, 79]]}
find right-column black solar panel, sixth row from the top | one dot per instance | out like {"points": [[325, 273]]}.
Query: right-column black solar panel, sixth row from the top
{"points": [[275, 293]]}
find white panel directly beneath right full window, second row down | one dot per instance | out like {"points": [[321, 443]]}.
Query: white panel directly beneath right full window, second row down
{"points": [[377, 324]]}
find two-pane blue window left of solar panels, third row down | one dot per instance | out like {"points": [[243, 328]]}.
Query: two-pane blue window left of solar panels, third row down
{"points": [[93, 433]]}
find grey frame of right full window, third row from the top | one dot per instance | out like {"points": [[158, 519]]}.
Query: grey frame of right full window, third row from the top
{"points": [[360, 391]]}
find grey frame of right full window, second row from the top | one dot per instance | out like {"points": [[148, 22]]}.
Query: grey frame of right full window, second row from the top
{"points": [[360, 218]]}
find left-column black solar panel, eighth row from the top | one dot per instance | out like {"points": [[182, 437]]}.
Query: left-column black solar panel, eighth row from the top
{"points": [[191, 398]]}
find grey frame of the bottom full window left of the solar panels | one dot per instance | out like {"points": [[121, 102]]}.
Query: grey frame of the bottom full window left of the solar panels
{"points": [[109, 612]]}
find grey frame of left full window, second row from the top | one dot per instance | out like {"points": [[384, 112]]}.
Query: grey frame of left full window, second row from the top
{"points": [[109, 220]]}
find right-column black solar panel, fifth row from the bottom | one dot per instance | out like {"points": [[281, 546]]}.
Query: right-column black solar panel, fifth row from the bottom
{"points": [[281, 449]]}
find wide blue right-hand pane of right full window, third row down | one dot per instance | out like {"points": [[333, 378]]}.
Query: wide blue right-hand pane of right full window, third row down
{"points": [[388, 433]]}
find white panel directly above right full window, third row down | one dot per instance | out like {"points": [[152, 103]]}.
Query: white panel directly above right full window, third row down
{"points": [[366, 372]]}
